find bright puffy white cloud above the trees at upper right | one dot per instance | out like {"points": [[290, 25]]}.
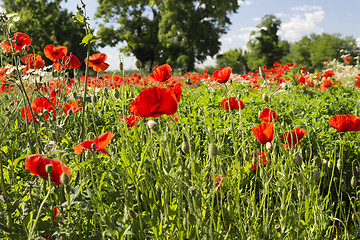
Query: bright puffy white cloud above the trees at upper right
{"points": [[301, 24]]}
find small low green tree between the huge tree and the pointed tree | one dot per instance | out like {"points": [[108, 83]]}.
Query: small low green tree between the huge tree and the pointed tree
{"points": [[234, 58]]}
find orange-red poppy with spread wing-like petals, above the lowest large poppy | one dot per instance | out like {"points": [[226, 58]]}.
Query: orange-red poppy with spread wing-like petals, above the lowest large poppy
{"points": [[98, 144]]}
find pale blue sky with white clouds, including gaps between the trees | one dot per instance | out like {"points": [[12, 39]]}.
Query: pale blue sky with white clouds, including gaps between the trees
{"points": [[298, 18]]}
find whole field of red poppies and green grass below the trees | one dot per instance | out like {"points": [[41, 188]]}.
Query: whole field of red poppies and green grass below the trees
{"points": [[271, 154]]}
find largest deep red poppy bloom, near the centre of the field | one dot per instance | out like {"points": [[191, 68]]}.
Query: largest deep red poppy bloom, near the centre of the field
{"points": [[154, 102]]}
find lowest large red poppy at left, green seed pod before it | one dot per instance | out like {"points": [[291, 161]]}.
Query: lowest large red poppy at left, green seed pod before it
{"points": [[36, 165]]}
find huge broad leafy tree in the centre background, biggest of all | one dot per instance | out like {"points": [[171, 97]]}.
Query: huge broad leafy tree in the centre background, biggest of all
{"points": [[180, 33]]}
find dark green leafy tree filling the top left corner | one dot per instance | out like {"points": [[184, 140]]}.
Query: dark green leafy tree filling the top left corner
{"points": [[47, 23]]}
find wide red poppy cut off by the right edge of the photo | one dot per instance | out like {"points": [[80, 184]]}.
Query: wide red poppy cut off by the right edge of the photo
{"points": [[345, 123]]}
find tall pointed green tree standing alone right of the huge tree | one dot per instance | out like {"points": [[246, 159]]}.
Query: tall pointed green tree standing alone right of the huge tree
{"points": [[265, 47]]}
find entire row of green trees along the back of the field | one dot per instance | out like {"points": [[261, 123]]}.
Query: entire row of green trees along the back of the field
{"points": [[180, 33]]}
